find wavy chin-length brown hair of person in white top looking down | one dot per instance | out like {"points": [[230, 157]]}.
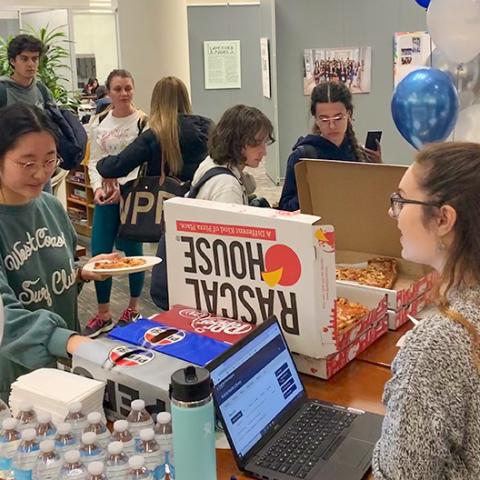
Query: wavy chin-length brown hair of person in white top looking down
{"points": [[236, 129]]}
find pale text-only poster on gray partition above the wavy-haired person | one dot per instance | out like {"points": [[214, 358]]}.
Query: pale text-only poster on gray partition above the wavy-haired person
{"points": [[222, 64]]}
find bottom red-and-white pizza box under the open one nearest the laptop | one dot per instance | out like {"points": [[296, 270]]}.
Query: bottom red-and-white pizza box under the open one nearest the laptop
{"points": [[325, 368]]}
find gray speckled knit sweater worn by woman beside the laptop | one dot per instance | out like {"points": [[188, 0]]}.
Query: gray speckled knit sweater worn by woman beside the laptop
{"points": [[432, 427]]}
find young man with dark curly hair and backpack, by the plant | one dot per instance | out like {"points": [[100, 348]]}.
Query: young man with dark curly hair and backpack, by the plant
{"points": [[24, 54]]}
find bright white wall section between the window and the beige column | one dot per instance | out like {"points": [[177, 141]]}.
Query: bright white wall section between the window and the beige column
{"points": [[97, 33]]}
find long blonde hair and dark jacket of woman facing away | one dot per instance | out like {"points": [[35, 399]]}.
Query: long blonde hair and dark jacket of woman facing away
{"points": [[176, 139]]}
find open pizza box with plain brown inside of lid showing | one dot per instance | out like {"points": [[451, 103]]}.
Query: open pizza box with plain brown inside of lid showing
{"points": [[355, 198]]}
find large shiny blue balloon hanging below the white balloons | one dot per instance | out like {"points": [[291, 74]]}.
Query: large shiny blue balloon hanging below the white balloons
{"points": [[425, 106]]}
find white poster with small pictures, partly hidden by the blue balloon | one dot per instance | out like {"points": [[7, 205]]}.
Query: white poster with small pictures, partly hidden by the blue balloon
{"points": [[411, 51]]}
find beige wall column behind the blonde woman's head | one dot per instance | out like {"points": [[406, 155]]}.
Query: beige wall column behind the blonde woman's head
{"points": [[153, 43]]}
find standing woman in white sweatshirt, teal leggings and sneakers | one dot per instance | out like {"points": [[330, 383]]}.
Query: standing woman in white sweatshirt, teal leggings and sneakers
{"points": [[110, 132]]}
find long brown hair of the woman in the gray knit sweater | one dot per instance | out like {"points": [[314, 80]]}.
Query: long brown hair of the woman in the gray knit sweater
{"points": [[450, 175]]}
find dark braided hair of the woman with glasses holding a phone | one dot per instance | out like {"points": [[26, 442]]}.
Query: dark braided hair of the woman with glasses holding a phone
{"points": [[331, 92]]}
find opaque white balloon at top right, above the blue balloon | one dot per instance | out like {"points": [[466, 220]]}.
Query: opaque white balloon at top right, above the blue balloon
{"points": [[455, 28]]}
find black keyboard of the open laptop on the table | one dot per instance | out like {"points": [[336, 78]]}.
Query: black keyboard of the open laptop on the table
{"points": [[304, 442]]}
